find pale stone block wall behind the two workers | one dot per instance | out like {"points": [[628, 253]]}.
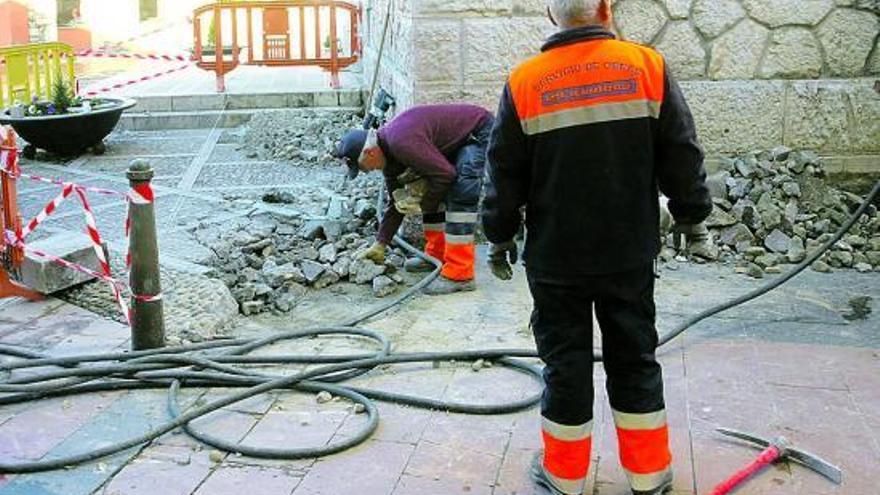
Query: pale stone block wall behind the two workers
{"points": [[757, 73]]}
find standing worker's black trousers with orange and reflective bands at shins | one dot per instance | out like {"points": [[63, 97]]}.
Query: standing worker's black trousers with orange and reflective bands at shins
{"points": [[562, 323]]}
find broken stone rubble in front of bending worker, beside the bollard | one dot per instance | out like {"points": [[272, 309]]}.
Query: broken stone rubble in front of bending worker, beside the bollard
{"points": [[270, 260]]}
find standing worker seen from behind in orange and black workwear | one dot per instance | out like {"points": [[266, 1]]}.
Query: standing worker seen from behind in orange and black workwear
{"points": [[586, 133]]}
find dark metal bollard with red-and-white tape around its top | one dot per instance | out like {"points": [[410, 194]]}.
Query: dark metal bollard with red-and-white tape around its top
{"points": [[147, 321]]}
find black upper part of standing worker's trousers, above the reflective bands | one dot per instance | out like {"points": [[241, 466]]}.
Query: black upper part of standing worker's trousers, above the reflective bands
{"points": [[562, 322]]}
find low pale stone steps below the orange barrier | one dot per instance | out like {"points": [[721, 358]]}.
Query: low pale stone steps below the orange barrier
{"points": [[153, 113]]}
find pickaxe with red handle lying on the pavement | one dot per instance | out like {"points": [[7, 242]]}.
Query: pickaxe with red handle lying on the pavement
{"points": [[773, 451]]}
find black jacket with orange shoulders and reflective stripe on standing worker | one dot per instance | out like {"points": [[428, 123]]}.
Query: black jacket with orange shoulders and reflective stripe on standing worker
{"points": [[585, 134]]}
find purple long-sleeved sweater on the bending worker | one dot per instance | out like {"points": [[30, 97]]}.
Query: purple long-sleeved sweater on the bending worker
{"points": [[424, 139]]}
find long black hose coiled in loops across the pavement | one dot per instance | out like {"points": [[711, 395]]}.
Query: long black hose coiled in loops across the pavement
{"points": [[185, 367]]}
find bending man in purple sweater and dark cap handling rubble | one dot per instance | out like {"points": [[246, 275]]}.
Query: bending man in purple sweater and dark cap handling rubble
{"points": [[433, 158]]}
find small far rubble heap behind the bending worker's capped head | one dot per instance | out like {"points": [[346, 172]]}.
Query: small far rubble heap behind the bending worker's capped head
{"points": [[306, 137]]}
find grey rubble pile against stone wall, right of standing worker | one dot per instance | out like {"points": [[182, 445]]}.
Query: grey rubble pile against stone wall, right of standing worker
{"points": [[775, 207]]}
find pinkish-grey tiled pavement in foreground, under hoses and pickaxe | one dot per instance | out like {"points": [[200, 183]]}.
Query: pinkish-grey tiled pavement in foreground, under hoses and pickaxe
{"points": [[788, 364]]}
